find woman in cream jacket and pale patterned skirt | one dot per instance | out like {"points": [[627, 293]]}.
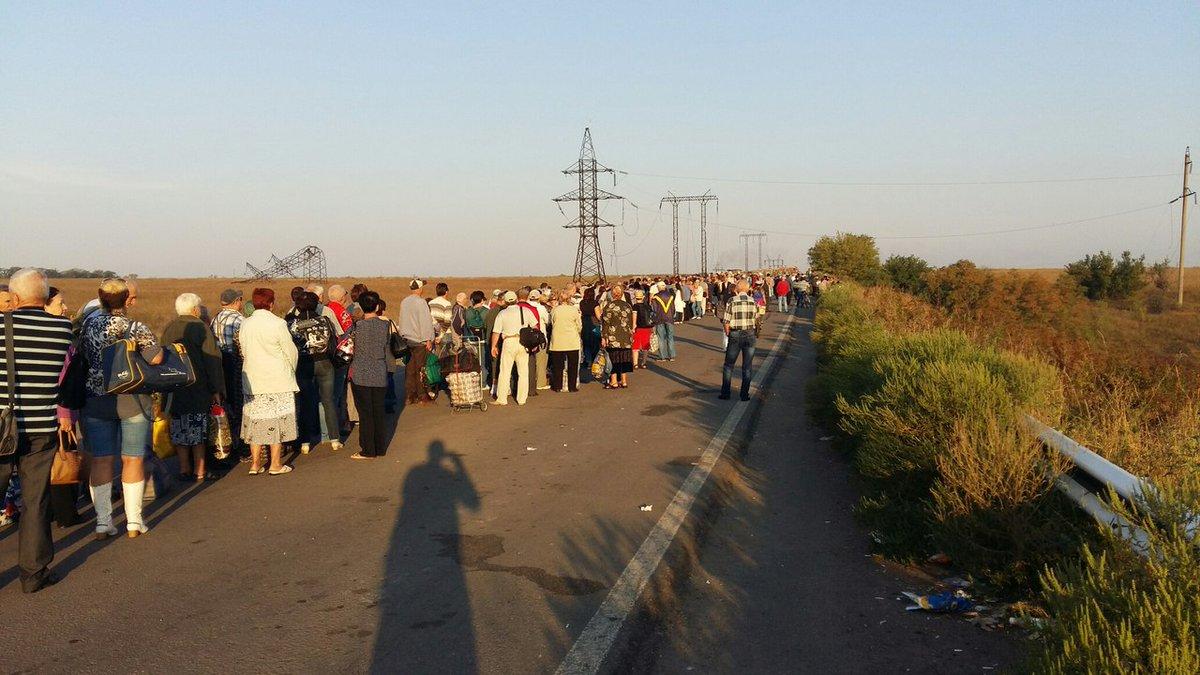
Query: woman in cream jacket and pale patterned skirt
{"points": [[269, 381]]}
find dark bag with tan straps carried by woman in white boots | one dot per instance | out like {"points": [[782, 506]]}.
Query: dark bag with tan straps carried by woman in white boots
{"points": [[127, 372]]}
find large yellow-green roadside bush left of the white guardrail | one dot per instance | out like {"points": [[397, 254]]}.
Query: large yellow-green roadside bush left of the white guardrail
{"points": [[915, 409]]}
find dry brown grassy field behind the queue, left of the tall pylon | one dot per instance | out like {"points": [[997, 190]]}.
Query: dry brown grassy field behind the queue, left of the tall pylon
{"points": [[157, 297]]}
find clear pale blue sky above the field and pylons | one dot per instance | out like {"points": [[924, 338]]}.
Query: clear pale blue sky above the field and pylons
{"points": [[187, 140]]}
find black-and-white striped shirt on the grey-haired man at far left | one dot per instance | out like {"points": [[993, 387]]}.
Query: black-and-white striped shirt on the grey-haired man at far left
{"points": [[40, 343]]}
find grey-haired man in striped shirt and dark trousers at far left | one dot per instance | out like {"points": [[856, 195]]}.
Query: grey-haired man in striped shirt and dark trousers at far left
{"points": [[33, 349]]}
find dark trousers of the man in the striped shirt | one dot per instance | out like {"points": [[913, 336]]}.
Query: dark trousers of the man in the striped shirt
{"points": [[35, 548]]}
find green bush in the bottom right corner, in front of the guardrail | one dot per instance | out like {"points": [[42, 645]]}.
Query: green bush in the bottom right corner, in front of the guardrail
{"points": [[1118, 612]]}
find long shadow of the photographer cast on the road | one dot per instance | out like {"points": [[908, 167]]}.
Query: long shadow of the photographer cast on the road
{"points": [[425, 616]]}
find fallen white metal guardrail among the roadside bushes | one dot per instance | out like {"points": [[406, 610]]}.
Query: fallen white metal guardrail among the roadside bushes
{"points": [[1126, 485]]}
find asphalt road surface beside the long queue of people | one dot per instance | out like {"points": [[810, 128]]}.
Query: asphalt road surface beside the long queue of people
{"points": [[485, 542]]}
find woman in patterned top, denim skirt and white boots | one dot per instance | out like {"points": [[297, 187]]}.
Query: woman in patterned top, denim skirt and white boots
{"points": [[116, 423]]}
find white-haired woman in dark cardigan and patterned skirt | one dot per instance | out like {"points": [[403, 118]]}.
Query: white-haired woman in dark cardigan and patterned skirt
{"points": [[189, 408]]}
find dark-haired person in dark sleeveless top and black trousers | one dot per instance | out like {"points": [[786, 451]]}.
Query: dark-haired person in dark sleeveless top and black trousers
{"points": [[374, 366]]}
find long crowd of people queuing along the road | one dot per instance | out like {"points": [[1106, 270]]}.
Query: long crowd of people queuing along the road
{"points": [[301, 379]]}
